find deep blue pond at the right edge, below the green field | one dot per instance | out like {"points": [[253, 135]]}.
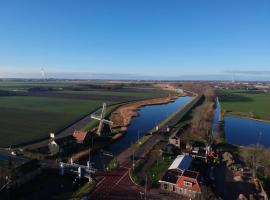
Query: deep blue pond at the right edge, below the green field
{"points": [[246, 131]]}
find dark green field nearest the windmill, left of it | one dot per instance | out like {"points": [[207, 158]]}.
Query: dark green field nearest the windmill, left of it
{"points": [[26, 118]]}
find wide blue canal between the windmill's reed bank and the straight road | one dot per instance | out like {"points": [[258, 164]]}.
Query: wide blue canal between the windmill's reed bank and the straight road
{"points": [[148, 118]]}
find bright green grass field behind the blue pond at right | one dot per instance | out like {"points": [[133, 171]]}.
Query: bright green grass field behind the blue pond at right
{"points": [[245, 103]]}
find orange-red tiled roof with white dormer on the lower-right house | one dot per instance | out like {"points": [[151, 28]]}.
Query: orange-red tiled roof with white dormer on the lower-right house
{"points": [[193, 179]]}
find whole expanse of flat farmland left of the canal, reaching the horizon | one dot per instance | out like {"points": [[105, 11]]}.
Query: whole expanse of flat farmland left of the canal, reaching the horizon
{"points": [[27, 115]]}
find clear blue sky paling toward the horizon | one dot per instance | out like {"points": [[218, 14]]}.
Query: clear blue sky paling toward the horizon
{"points": [[163, 39]]}
